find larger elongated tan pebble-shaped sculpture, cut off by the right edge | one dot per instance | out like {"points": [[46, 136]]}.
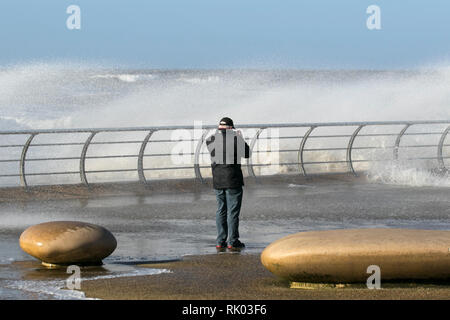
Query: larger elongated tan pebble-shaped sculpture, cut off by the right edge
{"points": [[343, 256]]}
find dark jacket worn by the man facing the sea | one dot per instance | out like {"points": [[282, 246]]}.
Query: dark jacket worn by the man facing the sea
{"points": [[227, 148]]}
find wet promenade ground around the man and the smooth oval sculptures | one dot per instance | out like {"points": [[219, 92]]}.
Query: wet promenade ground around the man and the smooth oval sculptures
{"points": [[172, 219]]}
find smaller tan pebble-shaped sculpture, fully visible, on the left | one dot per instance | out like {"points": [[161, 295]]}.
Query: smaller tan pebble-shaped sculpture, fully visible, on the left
{"points": [[68, 242]]}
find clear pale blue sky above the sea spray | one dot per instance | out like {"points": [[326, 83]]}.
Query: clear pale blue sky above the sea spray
{"points": [[228, 33]]}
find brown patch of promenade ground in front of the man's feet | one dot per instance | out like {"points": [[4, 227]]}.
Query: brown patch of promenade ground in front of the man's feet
{"points": [[239, 276]]}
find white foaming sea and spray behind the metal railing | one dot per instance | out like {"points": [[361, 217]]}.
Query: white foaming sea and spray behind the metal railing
{"points": [[46, 95]]}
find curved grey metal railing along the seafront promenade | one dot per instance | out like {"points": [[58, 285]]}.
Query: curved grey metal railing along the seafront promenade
{"points": [[143, 144]]}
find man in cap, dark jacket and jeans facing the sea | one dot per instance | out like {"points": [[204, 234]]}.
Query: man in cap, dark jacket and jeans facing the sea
{"points": [[227, 147]]}
